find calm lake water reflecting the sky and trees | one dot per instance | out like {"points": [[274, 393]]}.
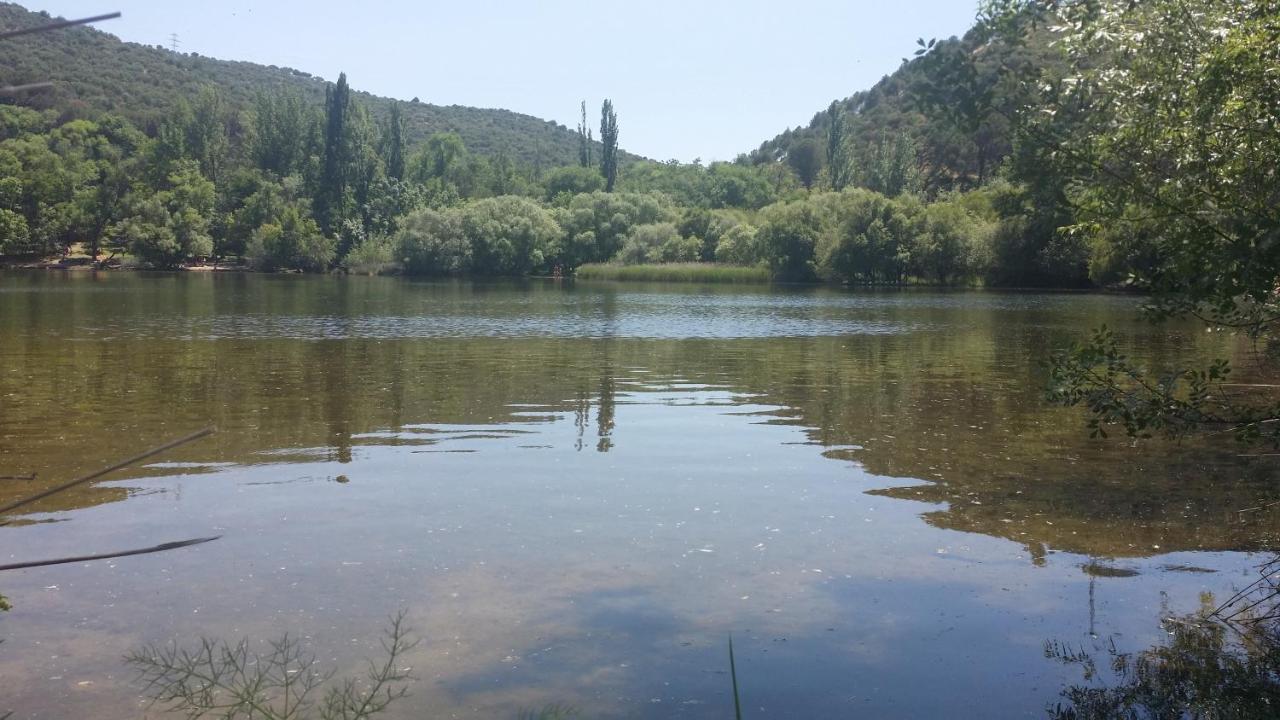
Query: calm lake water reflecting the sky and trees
{"points": [[579, 493]]}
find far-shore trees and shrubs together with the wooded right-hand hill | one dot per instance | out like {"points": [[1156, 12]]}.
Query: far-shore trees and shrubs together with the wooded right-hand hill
{"points": [[938, 175]]}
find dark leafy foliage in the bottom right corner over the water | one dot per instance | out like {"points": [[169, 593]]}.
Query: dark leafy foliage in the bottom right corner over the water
{"points": [[1219, 663]]}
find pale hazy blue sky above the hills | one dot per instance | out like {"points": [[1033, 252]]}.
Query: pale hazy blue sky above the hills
{"points": [[691, 79]]}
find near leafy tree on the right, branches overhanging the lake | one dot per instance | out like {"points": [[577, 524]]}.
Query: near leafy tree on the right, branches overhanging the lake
{"points": [[1180, 149]]}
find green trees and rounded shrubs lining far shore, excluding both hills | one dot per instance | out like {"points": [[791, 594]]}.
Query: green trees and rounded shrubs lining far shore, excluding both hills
{"points": [[286, 185]]}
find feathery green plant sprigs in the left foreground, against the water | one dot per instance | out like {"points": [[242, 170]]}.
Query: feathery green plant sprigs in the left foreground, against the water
{"points": [[232, 681]]}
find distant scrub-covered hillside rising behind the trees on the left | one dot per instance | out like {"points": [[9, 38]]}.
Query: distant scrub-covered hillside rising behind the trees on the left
{"points": [[95, 72]]}
